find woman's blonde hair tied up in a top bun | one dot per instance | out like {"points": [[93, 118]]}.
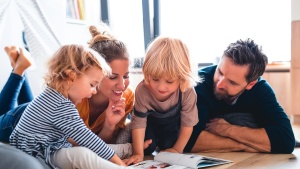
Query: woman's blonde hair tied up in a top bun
{"points": [[107, 45]]}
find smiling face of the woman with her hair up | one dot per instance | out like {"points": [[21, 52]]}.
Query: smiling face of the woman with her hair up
{"points": [[113, 87]]}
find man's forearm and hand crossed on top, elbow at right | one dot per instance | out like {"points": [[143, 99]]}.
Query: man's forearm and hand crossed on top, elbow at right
{"points": [[255, 138]]}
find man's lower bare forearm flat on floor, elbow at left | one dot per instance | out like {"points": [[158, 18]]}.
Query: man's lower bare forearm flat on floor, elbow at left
{"points": [[209, 142]]}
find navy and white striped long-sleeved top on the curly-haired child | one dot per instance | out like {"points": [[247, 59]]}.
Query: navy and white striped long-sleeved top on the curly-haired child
{"points": [[46, 124]]}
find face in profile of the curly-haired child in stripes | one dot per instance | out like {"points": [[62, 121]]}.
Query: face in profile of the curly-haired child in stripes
{"points": [[85, 85]]}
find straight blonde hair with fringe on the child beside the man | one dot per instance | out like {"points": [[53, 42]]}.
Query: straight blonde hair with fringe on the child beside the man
{"points": [[169, 56]]}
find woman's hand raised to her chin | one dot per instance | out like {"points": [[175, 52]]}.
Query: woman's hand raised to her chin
{"points": [[115, 112]]}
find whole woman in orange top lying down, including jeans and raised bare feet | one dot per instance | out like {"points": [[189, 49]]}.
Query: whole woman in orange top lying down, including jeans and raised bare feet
{"points": [[113, 94]]}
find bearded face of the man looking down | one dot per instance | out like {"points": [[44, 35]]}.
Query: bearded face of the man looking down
{"points": [[230, 79]]}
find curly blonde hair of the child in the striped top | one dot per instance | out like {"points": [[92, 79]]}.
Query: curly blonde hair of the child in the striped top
{"points": [[72, 60]]}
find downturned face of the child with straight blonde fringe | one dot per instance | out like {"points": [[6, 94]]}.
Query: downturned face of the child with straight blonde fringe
{"points": [[163, 87]]}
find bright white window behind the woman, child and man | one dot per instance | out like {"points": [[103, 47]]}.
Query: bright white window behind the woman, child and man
{"points": [[209, 26]]}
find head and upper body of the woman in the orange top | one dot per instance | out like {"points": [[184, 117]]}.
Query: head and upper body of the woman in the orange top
{"points": [[113, 91]]}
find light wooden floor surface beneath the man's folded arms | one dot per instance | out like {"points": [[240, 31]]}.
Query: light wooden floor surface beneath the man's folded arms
{"points": [[242, 160]]}
